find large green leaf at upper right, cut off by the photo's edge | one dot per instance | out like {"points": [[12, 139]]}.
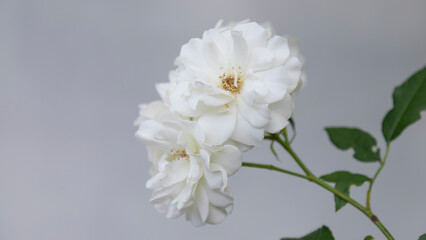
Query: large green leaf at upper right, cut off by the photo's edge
{"points": [[409, 99]]}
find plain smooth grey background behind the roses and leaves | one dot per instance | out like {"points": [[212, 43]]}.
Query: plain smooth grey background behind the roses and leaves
{"points": [[72, 74]]}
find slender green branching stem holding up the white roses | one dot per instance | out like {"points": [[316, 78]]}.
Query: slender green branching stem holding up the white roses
{"points": [[311, 177]]}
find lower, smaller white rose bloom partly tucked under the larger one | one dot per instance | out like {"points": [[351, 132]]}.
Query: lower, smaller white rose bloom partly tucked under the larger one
{"points": [[188, 177]]}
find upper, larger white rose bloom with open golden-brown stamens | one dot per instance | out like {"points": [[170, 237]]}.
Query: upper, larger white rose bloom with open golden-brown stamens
{"points": [[237, 81]]}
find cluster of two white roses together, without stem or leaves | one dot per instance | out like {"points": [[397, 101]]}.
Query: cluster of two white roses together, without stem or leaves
{"points": [[231, 86]]}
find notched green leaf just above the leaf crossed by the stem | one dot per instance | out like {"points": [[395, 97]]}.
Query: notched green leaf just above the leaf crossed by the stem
{"points": [[362, 142]]}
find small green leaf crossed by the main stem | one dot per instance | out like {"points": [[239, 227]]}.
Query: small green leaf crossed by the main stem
{"points": [[344, 180]]}
